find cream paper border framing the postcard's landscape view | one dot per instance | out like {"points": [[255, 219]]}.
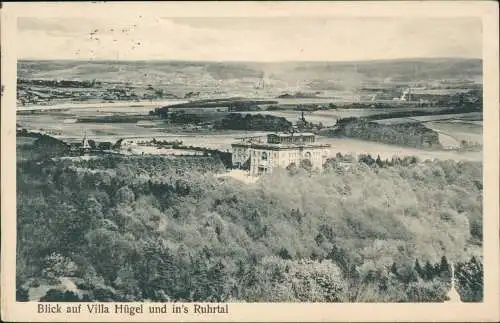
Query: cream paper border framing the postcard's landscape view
{"points": [[488, 11]]}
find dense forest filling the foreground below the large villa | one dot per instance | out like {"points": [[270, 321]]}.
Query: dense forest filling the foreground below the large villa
{"points": [[169, 229]]}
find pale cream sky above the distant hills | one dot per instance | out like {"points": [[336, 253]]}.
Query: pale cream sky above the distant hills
{"points": [[248, 39]]}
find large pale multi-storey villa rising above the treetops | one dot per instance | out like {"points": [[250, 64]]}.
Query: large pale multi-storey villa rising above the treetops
{"points": [[279, 150]]}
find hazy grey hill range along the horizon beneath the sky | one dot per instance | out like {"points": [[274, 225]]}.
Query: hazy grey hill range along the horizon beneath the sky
{"points": [[203, 72]]}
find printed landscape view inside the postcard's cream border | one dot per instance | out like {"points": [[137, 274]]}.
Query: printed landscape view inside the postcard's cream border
{"points": [[260, 159]]}
